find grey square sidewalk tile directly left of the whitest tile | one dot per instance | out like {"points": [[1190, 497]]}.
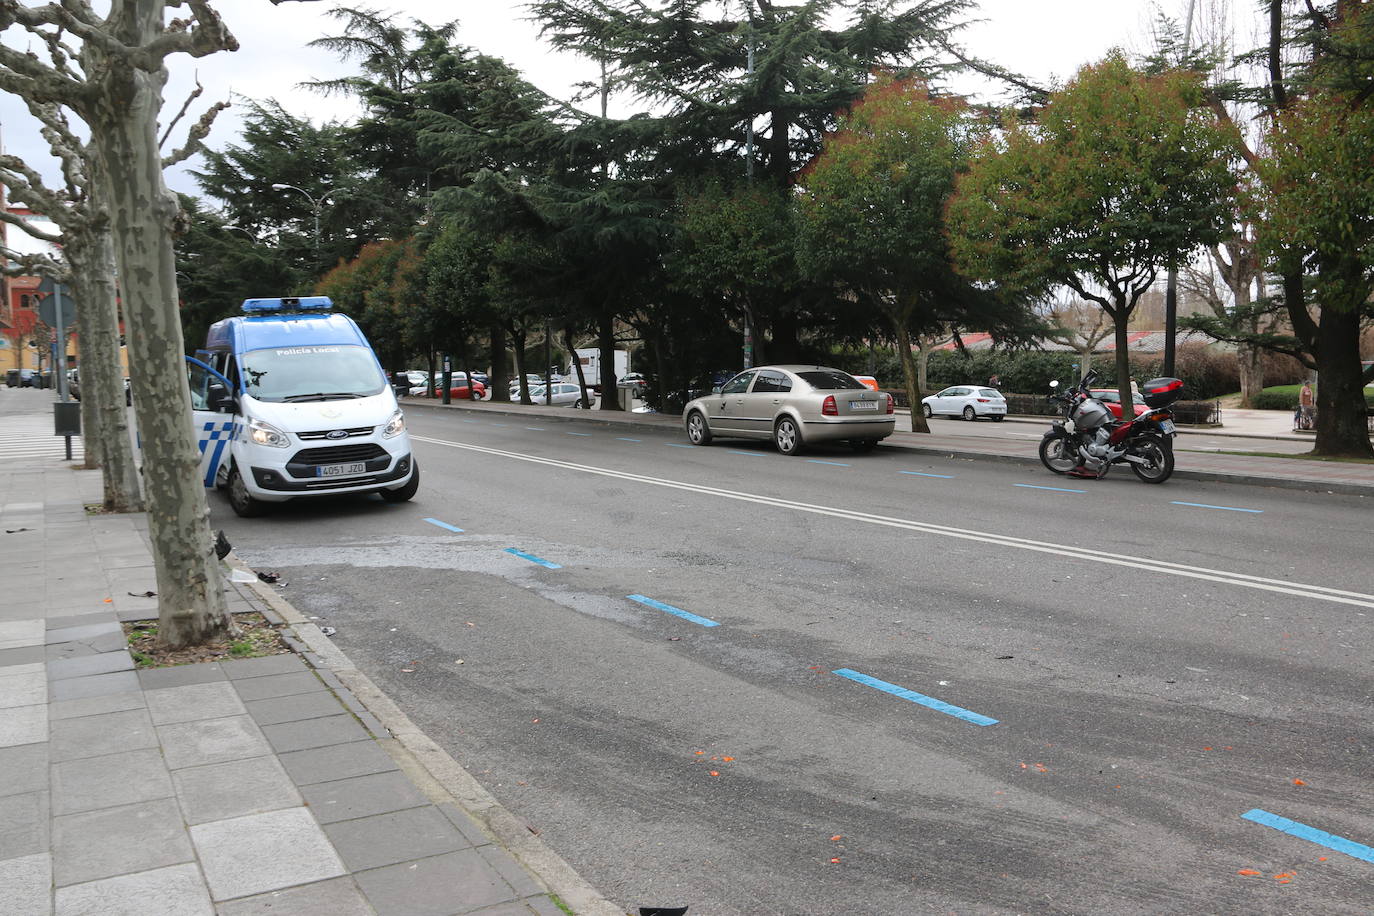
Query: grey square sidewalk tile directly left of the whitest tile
{"points": [[119, 841]]}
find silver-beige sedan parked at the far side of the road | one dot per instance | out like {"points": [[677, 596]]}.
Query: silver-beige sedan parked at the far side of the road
{"points": [[793, 406]]}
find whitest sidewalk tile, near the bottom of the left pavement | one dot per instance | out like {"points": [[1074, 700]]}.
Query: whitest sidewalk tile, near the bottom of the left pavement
{"points": [[260, 854]]}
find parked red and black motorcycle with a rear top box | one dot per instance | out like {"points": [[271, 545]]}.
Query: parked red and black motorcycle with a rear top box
{"points": [[1089, 440]]}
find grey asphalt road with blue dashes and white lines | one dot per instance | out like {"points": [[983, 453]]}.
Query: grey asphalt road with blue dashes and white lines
{"points": [[932, 685]]}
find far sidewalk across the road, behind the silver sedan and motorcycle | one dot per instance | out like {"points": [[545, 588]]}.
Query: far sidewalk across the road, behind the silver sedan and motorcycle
{"points": [[1289, 473]]}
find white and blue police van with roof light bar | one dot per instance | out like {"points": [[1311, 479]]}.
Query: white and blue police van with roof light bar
{"points": [[291, 402]]}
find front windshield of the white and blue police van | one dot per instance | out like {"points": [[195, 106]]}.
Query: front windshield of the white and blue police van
{"points": [[311, 374]]}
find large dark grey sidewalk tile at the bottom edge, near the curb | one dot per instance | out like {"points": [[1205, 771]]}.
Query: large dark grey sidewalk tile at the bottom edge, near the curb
{"points": [[438, 886]]}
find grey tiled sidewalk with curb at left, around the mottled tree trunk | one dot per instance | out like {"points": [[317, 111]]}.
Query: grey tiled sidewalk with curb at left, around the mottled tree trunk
{"points": [[280, 785]]}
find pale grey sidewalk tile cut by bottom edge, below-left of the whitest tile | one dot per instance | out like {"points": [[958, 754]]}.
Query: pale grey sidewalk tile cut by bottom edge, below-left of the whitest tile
{"points": [[177, 891]]}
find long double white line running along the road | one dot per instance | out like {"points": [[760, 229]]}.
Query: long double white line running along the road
{"points": [[1244, 580]]}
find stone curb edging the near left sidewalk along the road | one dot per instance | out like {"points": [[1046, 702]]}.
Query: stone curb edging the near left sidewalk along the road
{"points": [[427, 764]]}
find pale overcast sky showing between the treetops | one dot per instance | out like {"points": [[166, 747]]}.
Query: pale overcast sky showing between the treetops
{"points": [[1041, 39]]}
